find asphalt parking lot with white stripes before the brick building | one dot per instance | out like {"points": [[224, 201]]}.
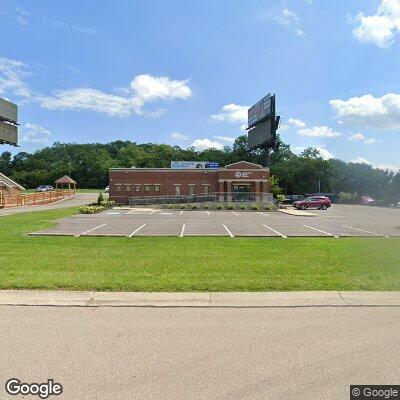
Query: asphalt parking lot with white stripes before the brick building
{"points": [[338, 221]]}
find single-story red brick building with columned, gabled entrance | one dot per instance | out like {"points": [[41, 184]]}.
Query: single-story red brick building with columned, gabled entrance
{"points": [[227, 183]]}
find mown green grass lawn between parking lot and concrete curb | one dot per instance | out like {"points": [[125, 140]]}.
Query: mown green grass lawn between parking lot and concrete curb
{"points": [[190, 264]]}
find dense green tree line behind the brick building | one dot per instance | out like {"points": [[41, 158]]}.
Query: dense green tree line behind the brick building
{"points": [[307, 172]]}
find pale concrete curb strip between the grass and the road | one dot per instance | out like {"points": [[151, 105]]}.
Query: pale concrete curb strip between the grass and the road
{"points": [[198, 299]]}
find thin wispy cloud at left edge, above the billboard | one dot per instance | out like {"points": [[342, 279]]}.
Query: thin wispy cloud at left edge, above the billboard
{"points": [[12, 76]]}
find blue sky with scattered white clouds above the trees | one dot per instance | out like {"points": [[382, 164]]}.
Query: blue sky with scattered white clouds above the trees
{"points": [[185, 72]]}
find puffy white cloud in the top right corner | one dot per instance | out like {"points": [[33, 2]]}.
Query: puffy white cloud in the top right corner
{"points": [[380, 28]]}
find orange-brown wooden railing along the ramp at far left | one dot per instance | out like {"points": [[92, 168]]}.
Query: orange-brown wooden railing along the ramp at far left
{"points": [[32, 199]]}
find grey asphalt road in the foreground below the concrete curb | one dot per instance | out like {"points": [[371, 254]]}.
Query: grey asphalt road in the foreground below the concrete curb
{"points": [[193, 353]]}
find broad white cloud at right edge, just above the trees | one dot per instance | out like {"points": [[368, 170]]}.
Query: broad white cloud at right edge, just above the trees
{"points": [[369, 111]]}
